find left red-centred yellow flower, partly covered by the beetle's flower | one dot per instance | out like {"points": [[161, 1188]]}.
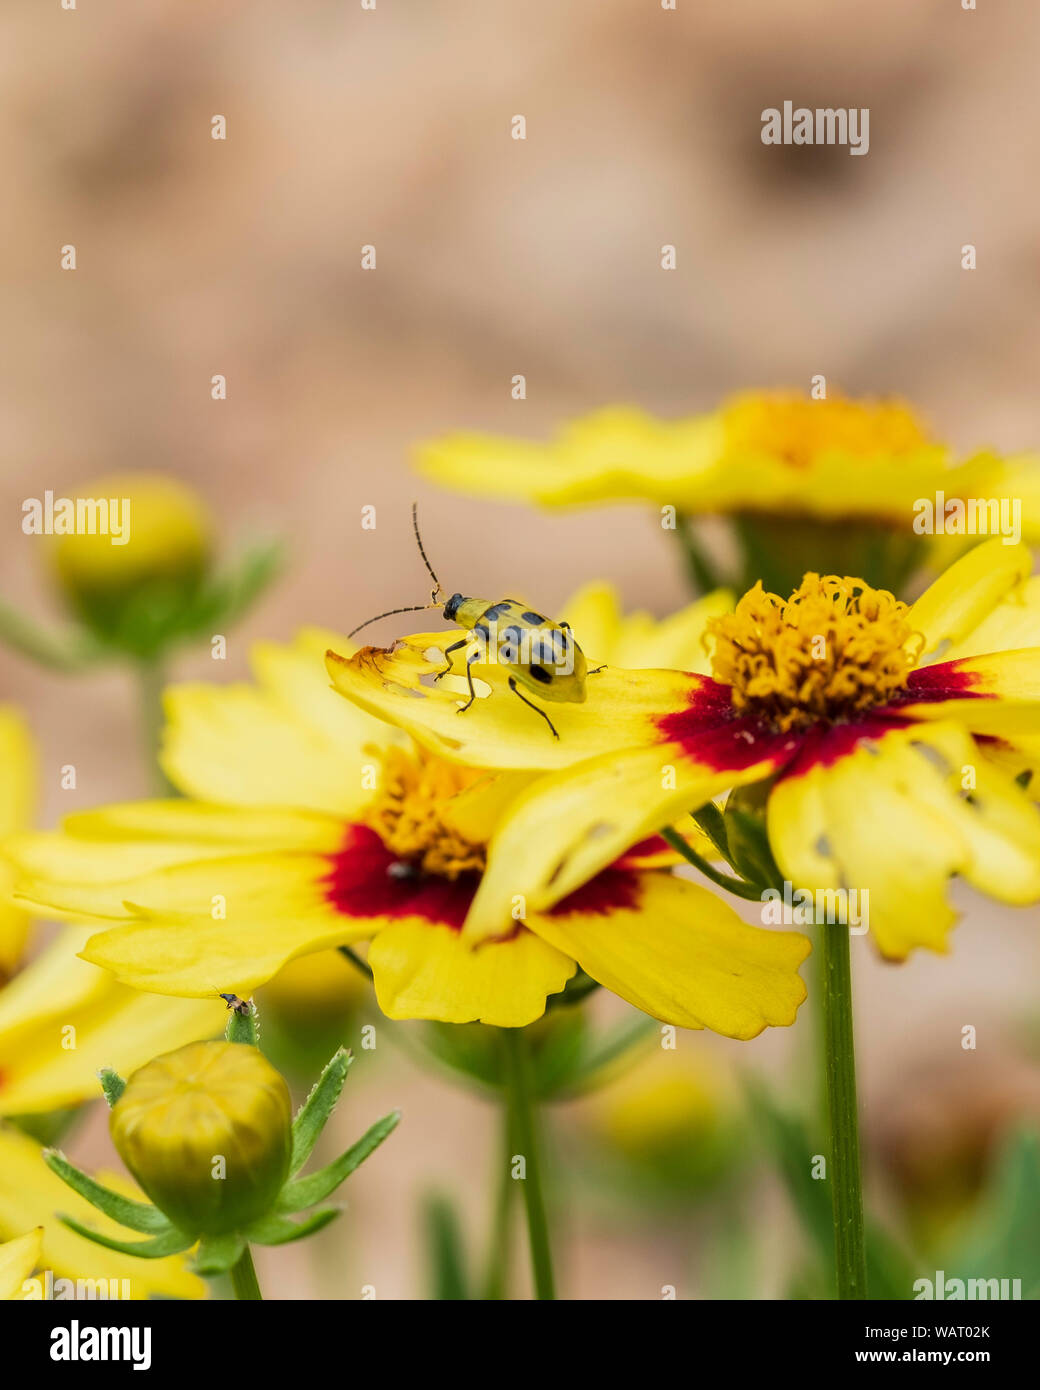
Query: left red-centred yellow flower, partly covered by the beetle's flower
{"points": [[311, 825]]}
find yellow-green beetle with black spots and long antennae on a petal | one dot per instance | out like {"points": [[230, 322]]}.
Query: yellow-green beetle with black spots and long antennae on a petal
{"points": [[540, 655]]}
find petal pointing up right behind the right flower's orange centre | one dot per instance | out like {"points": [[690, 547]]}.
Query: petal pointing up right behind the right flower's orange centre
{"points": [[964, 597]]}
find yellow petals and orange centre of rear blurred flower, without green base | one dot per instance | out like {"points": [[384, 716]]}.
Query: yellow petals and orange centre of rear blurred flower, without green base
{"points": [[760, 452]]}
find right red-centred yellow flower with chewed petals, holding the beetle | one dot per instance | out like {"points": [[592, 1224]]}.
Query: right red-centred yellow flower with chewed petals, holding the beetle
{"points": [[878, 732]]}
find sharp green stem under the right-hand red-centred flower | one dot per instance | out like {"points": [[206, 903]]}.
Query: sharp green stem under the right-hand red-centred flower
{"points": [[846, 1185]]}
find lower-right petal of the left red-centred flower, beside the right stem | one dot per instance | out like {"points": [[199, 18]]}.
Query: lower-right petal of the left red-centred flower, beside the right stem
{"points": [[683, 956]]}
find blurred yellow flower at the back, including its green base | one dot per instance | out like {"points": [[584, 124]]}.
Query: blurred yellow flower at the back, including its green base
{"points": [[828, 483]]}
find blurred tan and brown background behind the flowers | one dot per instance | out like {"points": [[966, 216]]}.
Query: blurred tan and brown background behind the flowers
{"points": [[496, 258]]}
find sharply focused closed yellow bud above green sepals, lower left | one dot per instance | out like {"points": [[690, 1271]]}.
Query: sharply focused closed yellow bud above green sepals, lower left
{"points": [[208, 1134]]}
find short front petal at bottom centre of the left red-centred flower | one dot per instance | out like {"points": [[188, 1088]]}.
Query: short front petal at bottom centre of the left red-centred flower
{"points": [[428, 972]]}
